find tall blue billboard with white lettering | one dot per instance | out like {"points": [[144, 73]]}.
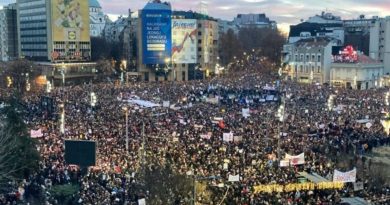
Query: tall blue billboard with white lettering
{"points": [[156, 36]]}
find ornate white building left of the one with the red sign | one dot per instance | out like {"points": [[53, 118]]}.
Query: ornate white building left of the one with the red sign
{"points": [[309, 60]]}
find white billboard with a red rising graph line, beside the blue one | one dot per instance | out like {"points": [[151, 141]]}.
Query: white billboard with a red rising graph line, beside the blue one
{"points": [[184, 43]]}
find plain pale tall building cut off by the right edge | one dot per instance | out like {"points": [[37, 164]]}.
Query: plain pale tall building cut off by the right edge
{"points": [[380, 42]]}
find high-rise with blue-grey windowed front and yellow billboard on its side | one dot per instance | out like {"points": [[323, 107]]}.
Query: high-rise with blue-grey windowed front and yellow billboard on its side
{"points": [[54, 30]]}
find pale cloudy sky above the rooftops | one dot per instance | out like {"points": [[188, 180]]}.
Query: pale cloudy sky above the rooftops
{"points": [[285, 12]]}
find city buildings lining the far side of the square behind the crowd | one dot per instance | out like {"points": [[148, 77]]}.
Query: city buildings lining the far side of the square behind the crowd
{"points": [[30, 30]]}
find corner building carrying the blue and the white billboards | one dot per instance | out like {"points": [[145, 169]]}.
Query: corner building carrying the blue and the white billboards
{"points": [[193, 43]]}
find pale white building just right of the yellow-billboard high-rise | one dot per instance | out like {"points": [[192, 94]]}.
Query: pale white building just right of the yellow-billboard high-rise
{"points": [[97, 19]]}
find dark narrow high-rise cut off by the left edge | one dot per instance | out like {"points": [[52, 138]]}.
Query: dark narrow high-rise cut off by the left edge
{"points": [[8, 33]]}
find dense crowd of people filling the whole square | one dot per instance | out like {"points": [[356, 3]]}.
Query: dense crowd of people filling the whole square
{"points": [[187, 135]]}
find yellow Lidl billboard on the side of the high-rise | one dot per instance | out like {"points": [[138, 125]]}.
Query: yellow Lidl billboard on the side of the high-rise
{"points": [[70, 20]]}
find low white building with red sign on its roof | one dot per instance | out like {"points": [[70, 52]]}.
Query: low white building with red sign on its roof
{"points": [[360, 72]]}
